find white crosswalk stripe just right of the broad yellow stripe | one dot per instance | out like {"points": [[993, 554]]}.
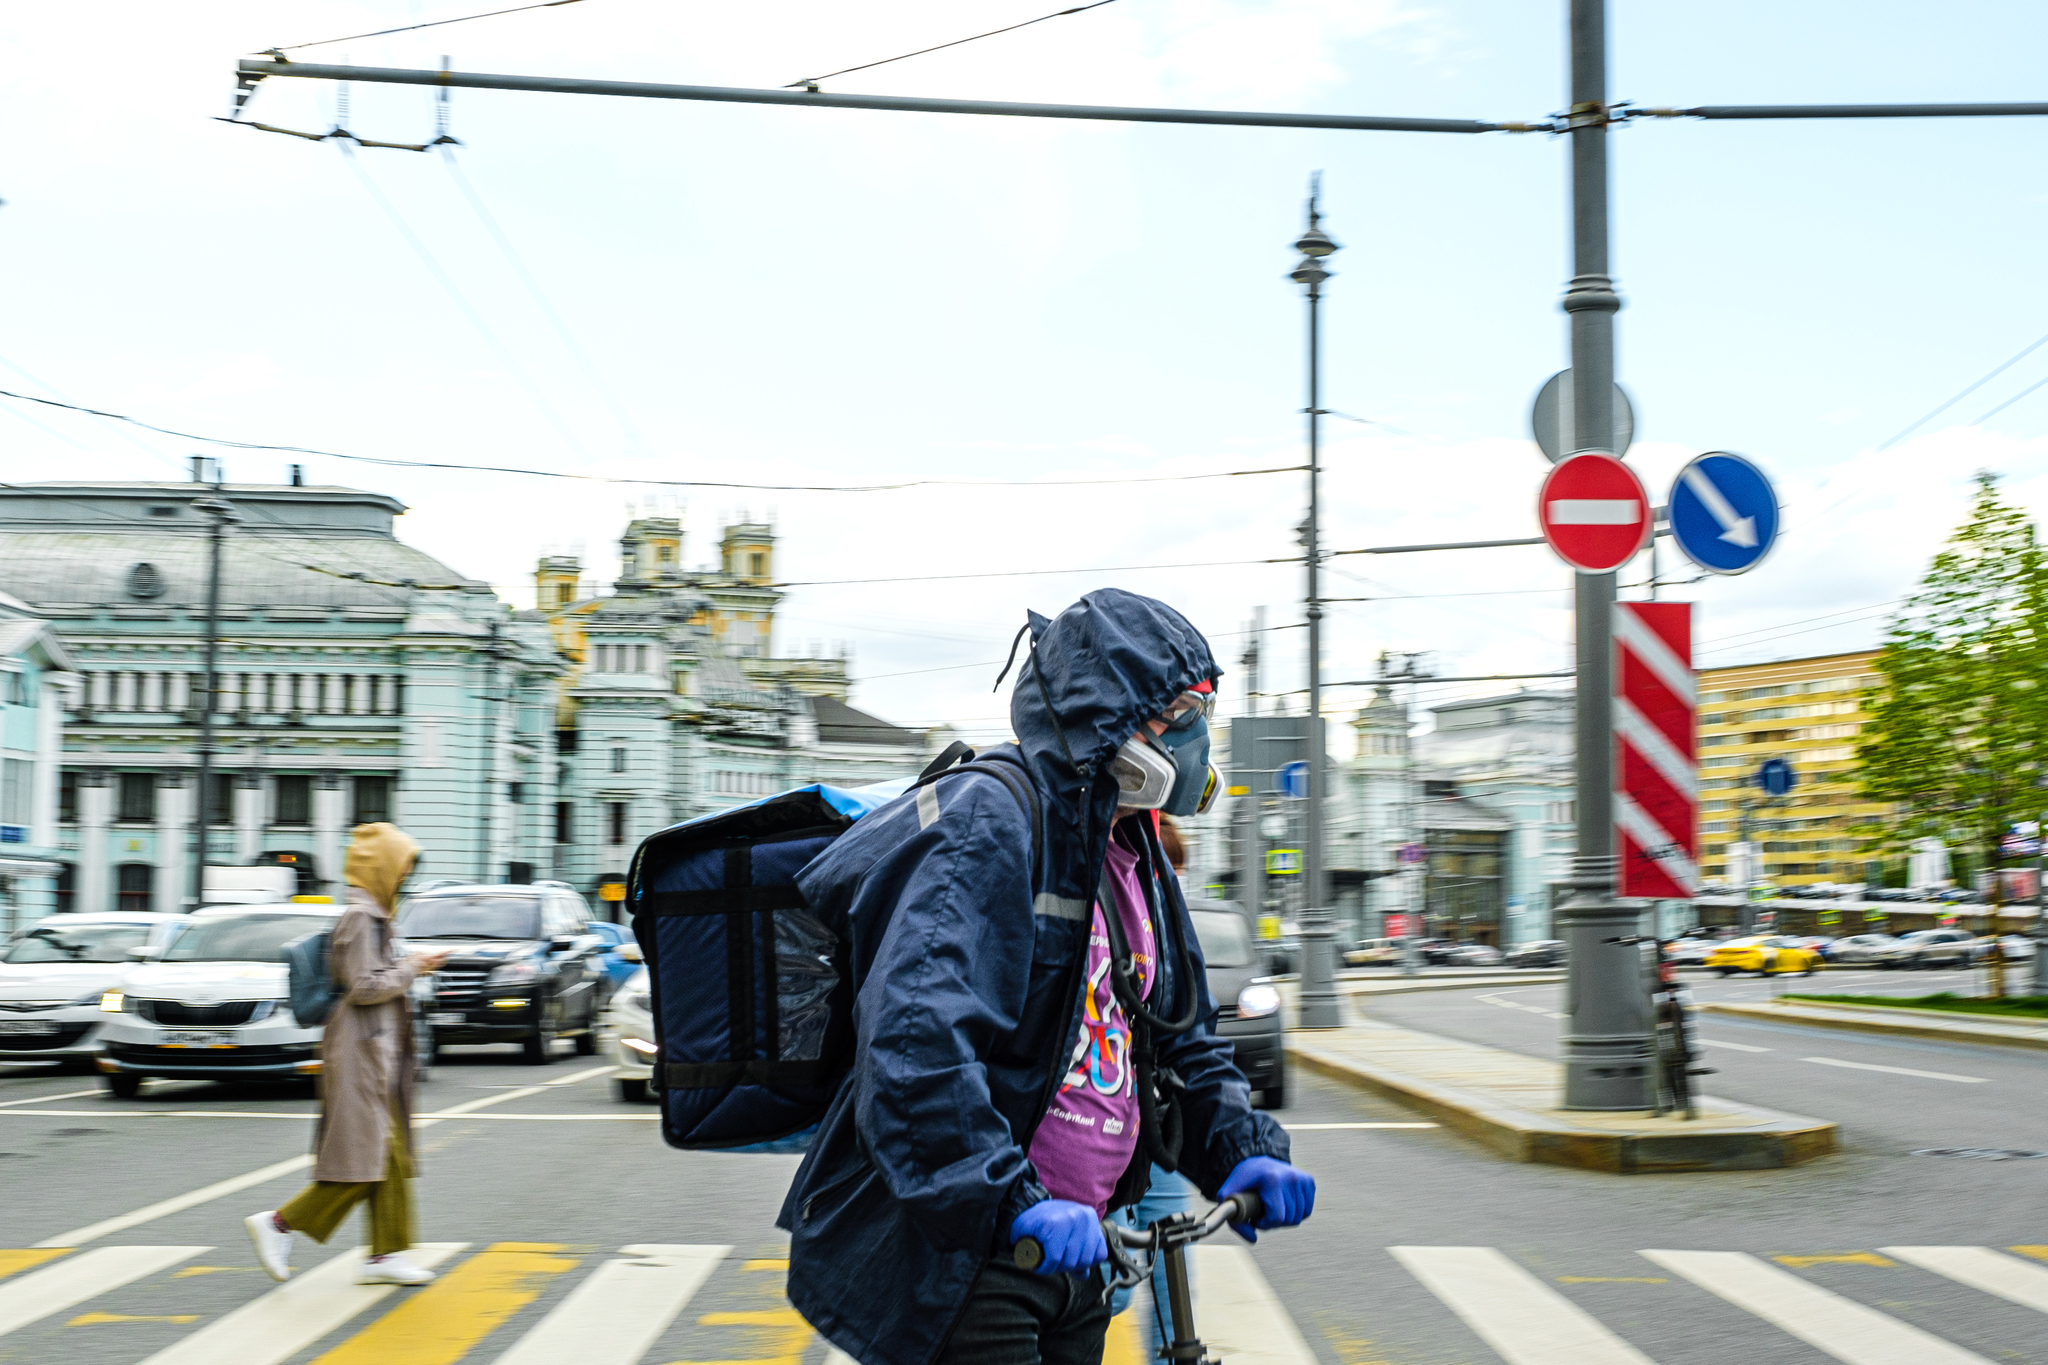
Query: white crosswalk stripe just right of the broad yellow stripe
{"points": [[622, 1309]]}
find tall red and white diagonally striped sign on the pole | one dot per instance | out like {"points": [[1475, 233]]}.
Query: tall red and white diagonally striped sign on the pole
{"points": [[1656, 768]]}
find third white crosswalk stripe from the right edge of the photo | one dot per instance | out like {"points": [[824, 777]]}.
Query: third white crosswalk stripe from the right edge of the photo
{"points": [[1523, 1319]]}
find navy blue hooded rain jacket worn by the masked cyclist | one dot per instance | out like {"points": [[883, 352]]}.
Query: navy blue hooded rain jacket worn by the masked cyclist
{"points": [[968, 994]]}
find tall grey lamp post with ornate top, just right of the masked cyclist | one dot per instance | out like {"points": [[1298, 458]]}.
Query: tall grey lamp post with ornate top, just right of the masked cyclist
{"points": [[1318, 932]]}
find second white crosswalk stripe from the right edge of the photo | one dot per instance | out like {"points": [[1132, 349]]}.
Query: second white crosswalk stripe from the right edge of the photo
{"points": [[1822, 1319]]}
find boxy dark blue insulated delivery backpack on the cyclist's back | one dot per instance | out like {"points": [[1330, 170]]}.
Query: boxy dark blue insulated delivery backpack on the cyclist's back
{"points": [[753, 994]]}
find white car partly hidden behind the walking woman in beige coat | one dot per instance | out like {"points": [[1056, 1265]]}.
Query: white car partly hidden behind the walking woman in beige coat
{"points": [[214, 1006]]}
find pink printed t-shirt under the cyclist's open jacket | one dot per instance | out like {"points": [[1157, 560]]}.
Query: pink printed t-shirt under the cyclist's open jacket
{"points": [[1093, 1127]]}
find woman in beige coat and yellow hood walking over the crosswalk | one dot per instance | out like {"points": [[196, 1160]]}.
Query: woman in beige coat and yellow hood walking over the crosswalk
{"points": [[364, 1147]]}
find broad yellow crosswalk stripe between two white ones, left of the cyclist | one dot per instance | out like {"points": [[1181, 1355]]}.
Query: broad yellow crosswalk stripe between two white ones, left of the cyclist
{"points": [[445, 1321]]}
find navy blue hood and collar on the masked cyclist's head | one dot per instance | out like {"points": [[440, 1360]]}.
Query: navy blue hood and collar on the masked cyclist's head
{"points": [[1095, 674]]}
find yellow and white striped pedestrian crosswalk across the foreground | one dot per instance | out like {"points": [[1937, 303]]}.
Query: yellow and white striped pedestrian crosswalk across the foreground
{"points": [[650, 1305]]}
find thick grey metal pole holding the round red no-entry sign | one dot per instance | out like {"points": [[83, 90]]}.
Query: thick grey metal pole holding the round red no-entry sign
{"points": [[1607, 1039]]}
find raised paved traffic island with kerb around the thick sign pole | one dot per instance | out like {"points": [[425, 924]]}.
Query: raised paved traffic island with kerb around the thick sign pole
{"points": [[1508, 1102]]}
